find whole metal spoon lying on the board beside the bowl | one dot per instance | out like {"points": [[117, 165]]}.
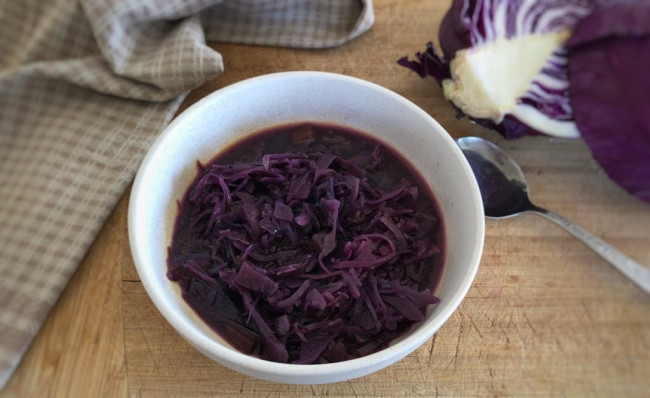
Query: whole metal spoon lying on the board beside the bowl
{"points": [[505, 194]]}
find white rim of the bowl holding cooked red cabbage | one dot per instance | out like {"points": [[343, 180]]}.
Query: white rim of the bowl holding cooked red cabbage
{"points": [[238, 359]]}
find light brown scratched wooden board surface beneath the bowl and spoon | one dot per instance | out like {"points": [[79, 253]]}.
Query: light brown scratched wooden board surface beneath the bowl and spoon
{"points": [[545, 316]]}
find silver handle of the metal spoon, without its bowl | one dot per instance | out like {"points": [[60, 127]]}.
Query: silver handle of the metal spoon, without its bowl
{"points": [[630, 268]]}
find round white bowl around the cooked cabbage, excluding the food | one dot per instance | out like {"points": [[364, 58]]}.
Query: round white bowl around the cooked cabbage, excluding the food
{"points": [[231, 113]]}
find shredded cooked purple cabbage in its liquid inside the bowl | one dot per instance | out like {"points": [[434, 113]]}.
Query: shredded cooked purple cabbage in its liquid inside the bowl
{"points": [[308, 244]]}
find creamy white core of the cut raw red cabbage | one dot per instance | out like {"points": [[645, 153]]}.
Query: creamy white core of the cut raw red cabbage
{"points": [[488, 80]]}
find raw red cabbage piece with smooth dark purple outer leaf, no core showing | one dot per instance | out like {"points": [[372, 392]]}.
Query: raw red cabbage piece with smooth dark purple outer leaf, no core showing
{"points": [[609, 64]]}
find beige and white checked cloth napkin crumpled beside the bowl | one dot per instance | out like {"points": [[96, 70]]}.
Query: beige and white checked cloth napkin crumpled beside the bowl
{"points": [[85, 87]]}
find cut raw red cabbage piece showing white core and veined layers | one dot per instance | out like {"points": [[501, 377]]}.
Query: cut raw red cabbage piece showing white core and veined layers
{"points": [[505, 65]]}
